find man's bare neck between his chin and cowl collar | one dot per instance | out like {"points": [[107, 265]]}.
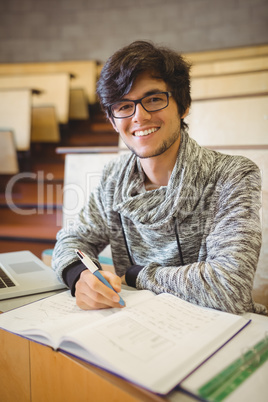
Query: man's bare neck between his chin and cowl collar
{"points": [[158, 169]]}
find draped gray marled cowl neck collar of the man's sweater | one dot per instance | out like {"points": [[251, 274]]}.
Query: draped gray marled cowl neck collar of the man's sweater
{"points": [[156, 208]]}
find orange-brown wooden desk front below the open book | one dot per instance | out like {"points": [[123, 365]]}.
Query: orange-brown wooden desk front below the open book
{"points": [[33, 372]]}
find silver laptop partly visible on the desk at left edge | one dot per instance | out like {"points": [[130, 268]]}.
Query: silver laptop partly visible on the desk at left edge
{"points": [[22, 273]]}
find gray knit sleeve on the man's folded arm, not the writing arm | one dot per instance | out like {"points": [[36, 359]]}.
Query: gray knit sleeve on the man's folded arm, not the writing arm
{"points": [[224, 278]]}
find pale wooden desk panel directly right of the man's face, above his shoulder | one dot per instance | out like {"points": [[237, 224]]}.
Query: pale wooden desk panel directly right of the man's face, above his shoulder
{"points": [[209, 124]]}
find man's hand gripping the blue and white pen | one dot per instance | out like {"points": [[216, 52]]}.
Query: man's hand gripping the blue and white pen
{"points": [[92, 294]]}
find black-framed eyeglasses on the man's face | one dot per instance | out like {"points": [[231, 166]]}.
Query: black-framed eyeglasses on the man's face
{"points": [[151, 103]]}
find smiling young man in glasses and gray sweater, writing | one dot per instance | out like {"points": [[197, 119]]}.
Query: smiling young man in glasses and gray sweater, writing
{"points": [[179, 218]]}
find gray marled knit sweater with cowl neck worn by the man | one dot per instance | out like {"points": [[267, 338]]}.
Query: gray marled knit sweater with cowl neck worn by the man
{"points": [[212, 200]]}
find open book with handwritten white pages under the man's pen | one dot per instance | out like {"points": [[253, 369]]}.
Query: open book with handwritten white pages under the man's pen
{"points": [[156, 342]]}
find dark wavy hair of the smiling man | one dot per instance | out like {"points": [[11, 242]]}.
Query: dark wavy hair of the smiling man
{"points": [[123, 67]]}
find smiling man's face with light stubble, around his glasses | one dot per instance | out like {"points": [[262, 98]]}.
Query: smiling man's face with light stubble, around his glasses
{"points": [[149, 134]]}
